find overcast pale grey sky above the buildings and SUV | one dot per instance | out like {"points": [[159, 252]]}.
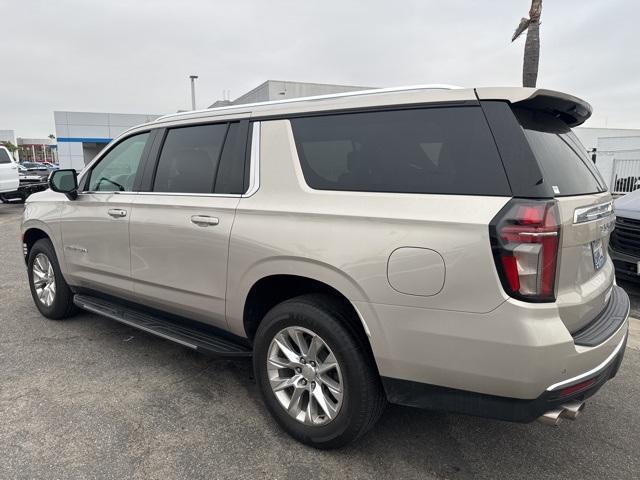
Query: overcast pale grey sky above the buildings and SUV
{"points": [[136, 56]]}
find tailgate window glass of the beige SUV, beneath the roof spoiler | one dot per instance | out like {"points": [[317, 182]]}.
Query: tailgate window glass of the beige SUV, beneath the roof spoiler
{"points": [[564, 162]]}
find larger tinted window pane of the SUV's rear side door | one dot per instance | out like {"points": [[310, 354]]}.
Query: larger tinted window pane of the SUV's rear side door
{"points": [[189, 159]]}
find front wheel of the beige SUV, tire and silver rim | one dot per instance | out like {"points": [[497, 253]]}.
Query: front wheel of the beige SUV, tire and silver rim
{"points": [[59, 304]]}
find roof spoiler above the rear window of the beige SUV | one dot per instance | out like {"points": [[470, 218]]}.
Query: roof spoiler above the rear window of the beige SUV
{"points": [[571, 110]]}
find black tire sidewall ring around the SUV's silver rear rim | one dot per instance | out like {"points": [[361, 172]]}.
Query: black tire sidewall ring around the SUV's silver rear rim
{"points": [[350, 362]]}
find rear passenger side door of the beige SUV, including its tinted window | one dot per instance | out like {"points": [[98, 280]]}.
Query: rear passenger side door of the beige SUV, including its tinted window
{"points": [[180, 226]]}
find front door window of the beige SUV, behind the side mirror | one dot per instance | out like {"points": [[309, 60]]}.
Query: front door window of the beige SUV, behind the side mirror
{"points": [[117, 170]]}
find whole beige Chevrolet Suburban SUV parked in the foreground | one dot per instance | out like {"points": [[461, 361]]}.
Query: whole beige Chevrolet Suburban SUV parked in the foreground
{"points": [[433, 247]]}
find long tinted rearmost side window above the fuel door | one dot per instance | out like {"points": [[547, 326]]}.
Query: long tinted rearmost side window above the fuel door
{"points": [[435, 150]]}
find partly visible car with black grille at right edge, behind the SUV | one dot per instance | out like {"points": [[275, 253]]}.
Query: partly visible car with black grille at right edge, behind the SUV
{"points": [[625, 240]]}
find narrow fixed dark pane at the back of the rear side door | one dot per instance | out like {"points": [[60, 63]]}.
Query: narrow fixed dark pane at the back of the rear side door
{"points": [[230, 177]]}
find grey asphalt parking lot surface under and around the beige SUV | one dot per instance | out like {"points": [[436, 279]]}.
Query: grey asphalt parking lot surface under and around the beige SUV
{"points": [[90, 398]]}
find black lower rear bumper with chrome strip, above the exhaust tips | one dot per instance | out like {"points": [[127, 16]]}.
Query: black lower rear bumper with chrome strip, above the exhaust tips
{"points": [[434, 397]]}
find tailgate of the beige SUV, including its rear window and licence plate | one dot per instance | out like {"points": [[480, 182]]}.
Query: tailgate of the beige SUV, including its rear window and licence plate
{"points": [[585, 273]]}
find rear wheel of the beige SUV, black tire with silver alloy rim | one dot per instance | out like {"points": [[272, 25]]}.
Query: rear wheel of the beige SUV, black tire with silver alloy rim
{"points": [[354, 407]]}
